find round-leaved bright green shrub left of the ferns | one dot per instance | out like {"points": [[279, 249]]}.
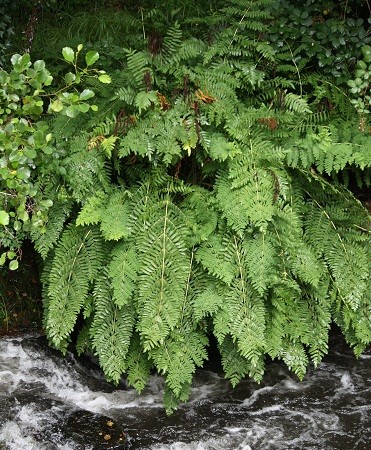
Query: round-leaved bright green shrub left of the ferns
{"points": [[27, 146]]}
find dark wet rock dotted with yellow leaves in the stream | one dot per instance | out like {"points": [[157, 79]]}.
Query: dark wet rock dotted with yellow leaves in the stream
{"points": [[95, 431]]}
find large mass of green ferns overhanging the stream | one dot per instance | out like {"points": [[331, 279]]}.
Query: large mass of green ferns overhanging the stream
{"points": [[207, 195]]}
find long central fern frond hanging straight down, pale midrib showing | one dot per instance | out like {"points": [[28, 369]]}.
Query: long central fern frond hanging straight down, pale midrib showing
{"points": [[163, 254]]}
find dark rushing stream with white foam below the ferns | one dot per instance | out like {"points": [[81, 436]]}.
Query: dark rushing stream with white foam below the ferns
{"points": [[52, 403]]}
